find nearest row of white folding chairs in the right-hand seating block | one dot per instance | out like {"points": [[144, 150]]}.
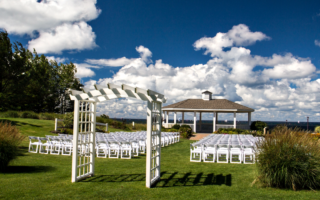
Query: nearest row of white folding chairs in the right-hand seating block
{"points": [[222, 153]]}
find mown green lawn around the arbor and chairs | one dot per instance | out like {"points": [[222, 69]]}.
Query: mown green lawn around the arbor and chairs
{"points": [[38, 176]]}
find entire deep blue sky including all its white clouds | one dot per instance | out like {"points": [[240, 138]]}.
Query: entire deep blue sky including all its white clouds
{"points": [[267, 56]]}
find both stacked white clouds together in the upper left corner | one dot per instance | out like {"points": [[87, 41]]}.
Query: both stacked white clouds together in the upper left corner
{"points": [[55, 25]]}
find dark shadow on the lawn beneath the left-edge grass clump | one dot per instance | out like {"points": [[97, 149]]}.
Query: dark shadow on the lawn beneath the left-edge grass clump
{"points": [[27, 169]]}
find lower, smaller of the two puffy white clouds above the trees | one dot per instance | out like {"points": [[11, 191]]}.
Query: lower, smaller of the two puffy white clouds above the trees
{"points": [[77, 36]]}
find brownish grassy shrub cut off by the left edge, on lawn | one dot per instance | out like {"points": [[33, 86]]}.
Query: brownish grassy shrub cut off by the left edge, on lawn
{"points": [[10, 138]]}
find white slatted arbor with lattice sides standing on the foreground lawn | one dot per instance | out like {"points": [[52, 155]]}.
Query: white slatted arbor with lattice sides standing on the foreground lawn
{"points": [[85, 124]]}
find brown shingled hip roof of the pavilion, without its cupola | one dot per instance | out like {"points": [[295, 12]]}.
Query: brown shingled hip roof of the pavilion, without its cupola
{"points": [[213, 104]]}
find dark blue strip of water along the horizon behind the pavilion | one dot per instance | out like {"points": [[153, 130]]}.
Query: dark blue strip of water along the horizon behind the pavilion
{"points": [[271, 124]]}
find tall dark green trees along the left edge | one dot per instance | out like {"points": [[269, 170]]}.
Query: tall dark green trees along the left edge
{"points": [[29, 81]]}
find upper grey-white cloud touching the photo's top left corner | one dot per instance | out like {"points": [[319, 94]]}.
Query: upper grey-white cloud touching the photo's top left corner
{"points": [[26, 16]]}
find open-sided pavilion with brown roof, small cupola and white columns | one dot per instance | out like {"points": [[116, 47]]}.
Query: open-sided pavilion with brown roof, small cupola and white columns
{"points": [[207, 105]]}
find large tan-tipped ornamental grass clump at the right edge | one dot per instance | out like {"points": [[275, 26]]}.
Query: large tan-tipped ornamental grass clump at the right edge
{"points": [[289, 158]]}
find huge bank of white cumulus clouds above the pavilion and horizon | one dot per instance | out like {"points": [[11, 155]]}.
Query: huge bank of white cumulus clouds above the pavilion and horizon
{"points": [[283, 87]]}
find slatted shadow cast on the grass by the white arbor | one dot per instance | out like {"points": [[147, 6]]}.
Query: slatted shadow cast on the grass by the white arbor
{"points": [[168, 179]]}
